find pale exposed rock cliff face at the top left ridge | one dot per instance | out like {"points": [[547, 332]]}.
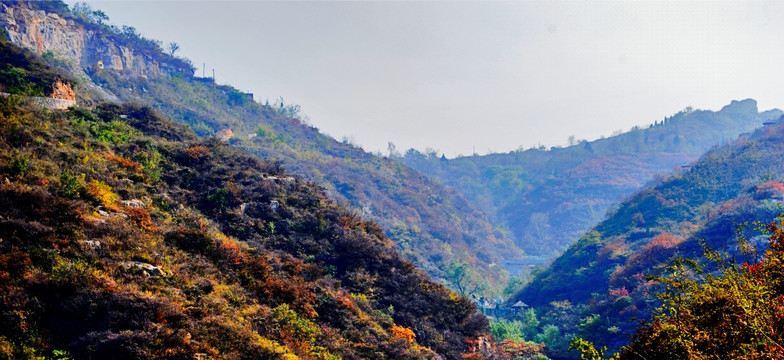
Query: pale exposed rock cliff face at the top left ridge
{"points": [[40, 31]]}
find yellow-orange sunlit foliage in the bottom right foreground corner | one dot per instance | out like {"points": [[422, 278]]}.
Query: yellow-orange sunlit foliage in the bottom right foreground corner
{"points": [[737, 314]]}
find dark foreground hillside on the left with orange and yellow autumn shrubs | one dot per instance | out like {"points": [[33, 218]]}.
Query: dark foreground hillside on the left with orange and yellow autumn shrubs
{"points": [[125, 236]]}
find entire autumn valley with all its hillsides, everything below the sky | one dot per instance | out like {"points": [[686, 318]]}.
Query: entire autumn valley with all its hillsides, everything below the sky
{"points": [[150, 213]]}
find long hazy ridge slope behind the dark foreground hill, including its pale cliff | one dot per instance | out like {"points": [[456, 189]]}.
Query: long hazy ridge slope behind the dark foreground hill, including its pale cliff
{"points": [[432, 225]]}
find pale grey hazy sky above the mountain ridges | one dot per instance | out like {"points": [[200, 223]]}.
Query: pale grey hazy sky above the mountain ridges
{"points": [[490, 76]]}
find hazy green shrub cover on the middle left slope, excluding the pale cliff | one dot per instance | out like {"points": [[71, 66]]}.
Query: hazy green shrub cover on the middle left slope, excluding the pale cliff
{"points": [[432, 225]]}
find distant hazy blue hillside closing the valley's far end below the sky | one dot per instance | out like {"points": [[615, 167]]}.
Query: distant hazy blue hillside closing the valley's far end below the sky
{"points": [[548, 198]]}
